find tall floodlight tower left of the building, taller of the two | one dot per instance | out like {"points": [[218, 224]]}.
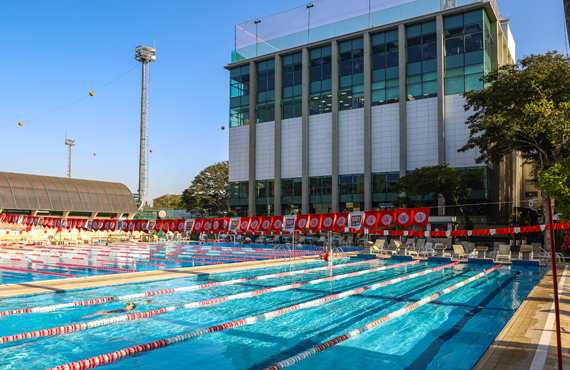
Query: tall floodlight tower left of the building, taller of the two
{"points": [[145, 55]]}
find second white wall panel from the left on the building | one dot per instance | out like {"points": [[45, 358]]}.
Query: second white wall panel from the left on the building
{"points": [[265, 151]]}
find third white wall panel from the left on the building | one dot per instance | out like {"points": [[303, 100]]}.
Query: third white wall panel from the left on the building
{"points": [[291, 148]]}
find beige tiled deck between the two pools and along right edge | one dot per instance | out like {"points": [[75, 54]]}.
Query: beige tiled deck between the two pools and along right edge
{"points": [[514, 348]]}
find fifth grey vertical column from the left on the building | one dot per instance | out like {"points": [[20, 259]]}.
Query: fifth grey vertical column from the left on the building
{"points": [[367, 123]]}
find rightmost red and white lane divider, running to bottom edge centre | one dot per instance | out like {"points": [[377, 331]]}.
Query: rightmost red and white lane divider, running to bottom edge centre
{"points": [[354, 333]]}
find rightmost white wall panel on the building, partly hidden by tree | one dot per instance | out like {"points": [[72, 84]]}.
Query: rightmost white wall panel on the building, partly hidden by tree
{"points": [[457, 133]]}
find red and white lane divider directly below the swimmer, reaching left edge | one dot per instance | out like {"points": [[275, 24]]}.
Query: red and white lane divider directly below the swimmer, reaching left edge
{"points": [[209, 302]]}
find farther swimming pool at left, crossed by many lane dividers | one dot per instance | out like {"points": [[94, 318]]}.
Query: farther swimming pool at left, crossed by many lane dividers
{"points": [[25, 264]]}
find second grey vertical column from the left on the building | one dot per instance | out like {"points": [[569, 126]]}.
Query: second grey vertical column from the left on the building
{"points": [[277, 163]]}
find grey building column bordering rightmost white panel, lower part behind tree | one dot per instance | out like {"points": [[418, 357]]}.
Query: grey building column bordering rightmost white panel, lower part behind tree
{"points": [[440, 103]]}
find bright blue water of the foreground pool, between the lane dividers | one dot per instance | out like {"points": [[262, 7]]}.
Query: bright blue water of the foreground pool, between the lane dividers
{"points": [[450, 333]]}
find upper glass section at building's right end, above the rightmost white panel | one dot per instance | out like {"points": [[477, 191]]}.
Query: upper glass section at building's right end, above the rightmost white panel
{"points": [[467, 38]]}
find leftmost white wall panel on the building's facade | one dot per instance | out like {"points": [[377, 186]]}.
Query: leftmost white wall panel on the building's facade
{"points": [[239, 153]]}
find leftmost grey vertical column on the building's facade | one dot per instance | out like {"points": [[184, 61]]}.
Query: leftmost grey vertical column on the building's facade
{"points": [[252, 136]]}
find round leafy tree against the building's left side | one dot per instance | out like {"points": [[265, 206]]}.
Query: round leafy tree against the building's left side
{"points": [[209, 190]]}
